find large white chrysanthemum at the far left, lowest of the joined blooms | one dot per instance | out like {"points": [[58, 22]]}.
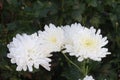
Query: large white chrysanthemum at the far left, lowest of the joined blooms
{"points": [[26, 52]]}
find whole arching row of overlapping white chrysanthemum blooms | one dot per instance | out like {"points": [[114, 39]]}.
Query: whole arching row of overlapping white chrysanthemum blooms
{"points": [[29, 51]]}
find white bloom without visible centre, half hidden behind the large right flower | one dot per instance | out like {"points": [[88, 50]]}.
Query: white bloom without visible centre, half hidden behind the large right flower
{"points": [[70, 33]]}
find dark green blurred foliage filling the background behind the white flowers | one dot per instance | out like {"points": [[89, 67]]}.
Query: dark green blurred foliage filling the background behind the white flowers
{"points": [[29, 16]]}
